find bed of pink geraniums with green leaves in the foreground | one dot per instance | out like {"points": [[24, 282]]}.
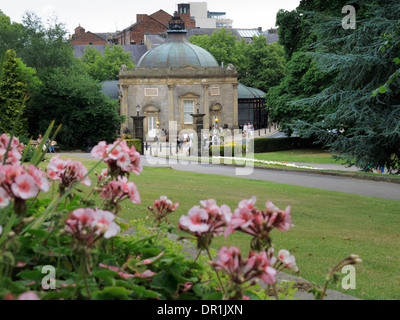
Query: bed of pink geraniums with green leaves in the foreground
{"points": [[67, 248]]}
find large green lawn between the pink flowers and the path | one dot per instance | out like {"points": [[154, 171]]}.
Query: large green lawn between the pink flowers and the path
{"points": [[328, 225]]}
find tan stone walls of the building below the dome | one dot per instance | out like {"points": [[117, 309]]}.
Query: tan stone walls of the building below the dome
{"points": [[165, 94]]}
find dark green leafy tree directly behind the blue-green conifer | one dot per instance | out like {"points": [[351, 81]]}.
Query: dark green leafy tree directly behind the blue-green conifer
{"points": [[303, 78]]}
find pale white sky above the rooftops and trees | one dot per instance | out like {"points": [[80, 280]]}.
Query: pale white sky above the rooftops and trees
{"points": [[108, 16]]}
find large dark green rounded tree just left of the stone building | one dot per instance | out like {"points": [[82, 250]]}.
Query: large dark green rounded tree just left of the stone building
{"points": [[74, 99]]}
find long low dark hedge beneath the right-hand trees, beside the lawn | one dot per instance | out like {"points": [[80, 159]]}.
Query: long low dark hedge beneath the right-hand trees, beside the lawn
{"points": [[280, 144]]}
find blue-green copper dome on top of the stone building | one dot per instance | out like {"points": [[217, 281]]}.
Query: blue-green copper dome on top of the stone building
{"points": [[177, 52]]}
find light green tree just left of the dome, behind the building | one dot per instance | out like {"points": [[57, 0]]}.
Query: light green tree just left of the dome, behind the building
{"points": [[106, 67]]}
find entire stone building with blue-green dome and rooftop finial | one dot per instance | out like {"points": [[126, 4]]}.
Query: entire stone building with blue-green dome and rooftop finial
{"points": [[173, 81]]}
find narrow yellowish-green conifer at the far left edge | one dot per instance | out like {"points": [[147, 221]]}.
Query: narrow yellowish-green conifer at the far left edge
{"points": [[13, 92]]}
